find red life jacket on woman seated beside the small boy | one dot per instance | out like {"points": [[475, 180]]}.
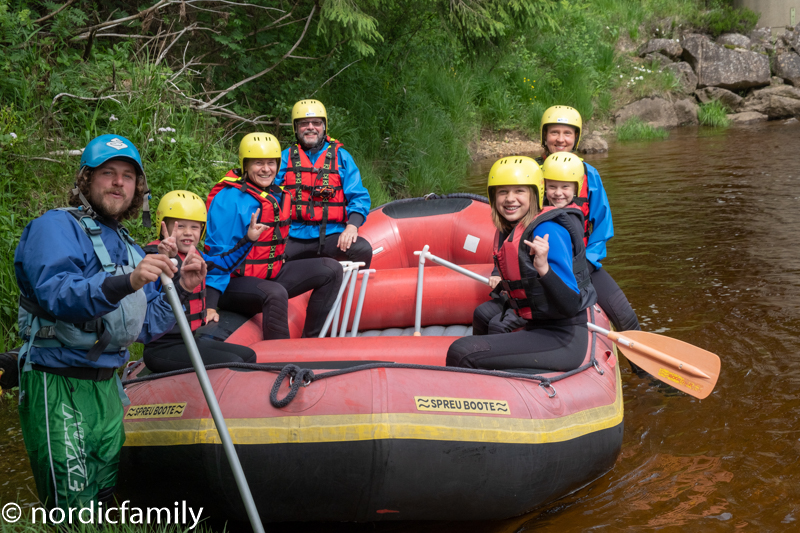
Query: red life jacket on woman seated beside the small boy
{"points": [[266, 257]]}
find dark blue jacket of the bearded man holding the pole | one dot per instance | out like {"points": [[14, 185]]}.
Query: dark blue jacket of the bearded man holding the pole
{"points": [[55, 265]]}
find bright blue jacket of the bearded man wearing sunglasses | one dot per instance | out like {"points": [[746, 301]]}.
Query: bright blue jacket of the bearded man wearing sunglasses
{"points": [[357, 196]]}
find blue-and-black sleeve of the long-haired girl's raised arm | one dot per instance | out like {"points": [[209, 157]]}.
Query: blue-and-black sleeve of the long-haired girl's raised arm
{"points": [[559, 283]]}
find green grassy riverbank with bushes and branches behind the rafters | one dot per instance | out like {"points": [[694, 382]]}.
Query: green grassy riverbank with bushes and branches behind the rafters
{"points": [[408, 86]]}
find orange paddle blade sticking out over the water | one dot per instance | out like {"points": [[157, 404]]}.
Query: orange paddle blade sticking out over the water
{"points": [[682, 365]]}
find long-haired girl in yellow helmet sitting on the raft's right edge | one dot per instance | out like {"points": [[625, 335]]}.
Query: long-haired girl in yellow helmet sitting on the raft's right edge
{"points": [[539, 255]]}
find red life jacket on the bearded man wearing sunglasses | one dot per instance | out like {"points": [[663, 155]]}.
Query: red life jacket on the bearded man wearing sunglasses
{"points": [[316, 190]]}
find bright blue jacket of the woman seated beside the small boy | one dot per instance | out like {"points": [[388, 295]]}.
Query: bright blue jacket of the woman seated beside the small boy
{"points": [[228, 221]]}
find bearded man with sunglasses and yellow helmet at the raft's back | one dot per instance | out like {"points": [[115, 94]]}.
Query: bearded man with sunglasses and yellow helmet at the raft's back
{"points": [[329, 201]]}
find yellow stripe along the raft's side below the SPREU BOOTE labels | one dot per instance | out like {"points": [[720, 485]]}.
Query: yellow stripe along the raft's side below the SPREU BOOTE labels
{"points": [[345, 428]]}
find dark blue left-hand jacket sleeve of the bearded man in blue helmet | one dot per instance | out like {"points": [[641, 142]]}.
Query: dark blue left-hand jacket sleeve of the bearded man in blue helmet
{"points": [[50, 263]]}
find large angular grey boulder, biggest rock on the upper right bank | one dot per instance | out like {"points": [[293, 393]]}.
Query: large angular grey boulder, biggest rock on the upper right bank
{"points": [[717, 66]]}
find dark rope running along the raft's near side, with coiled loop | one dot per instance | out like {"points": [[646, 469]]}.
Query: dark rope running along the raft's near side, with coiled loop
{"points": [[303, 377]]}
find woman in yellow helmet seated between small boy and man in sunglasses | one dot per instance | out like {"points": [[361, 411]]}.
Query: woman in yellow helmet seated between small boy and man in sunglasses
{"points": [[264, 281]]}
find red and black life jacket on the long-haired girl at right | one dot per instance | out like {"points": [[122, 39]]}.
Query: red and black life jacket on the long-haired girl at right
{"points": [[521, 280]]}
